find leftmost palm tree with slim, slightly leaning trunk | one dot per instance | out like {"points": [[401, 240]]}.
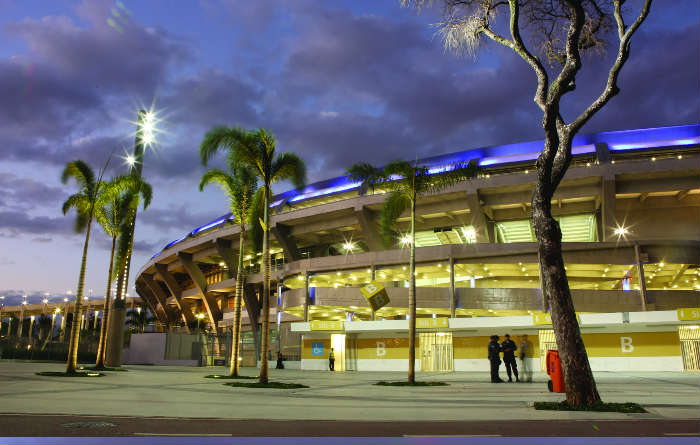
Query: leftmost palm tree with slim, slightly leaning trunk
{"points": [[87, 201]]}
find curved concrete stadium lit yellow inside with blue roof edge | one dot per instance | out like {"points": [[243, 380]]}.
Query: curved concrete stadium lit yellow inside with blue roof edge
{"points": [[629, 213]]}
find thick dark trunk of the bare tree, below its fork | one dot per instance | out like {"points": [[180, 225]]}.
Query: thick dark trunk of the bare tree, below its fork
{"points": [[580, 384]]}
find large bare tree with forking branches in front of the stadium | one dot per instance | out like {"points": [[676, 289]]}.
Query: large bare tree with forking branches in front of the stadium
{"points": [[560, 30]]}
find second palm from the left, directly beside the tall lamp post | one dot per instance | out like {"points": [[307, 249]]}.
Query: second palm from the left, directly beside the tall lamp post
{"points": [[112, 218]]}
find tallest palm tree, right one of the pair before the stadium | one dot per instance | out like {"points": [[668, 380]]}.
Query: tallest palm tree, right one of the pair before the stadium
{"points": [[256, 150]]}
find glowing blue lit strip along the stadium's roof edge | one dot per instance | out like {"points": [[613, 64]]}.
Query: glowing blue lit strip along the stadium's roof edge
{"points": [[608, 137]]}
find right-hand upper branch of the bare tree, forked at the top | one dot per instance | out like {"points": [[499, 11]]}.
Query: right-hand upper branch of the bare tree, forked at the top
{"points": [[611, 88]]}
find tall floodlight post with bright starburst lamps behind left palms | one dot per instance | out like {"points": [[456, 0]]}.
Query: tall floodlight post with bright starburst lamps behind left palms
{"points": [[145, 136]]}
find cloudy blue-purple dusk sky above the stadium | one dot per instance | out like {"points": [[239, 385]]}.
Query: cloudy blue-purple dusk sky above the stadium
{"points": [[337, 82]]}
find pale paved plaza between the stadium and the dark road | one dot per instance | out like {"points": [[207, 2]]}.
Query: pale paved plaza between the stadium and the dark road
{"points": [[155, 391]]}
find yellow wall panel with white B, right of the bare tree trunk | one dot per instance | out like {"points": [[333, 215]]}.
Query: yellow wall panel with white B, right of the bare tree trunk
{"points": [[643, 344]]}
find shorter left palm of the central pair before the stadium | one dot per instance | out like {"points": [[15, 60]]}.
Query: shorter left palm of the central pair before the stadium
{"points": [[240, 187]]}
